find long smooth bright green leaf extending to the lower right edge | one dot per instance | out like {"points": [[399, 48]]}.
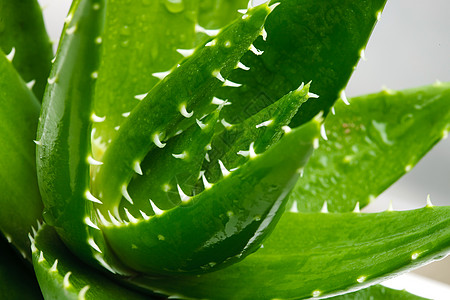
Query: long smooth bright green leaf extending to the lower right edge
{"points": [[318, 254]]}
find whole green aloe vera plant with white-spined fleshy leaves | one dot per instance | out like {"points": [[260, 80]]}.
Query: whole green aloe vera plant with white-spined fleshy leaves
{"points": [[206, 150]]}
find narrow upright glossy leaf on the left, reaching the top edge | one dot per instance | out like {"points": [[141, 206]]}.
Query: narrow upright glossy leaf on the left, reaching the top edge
{"points": [[64, 148]]}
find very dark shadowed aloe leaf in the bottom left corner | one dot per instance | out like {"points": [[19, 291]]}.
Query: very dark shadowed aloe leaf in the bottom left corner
{"points": [[17, 280]]}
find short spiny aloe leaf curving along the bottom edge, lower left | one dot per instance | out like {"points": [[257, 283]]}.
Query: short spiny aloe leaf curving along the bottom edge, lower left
{"points": [[62, 276]]}
